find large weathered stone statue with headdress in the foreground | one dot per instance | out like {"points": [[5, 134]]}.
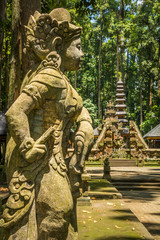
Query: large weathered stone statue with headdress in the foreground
{"points": [[43, 181]]}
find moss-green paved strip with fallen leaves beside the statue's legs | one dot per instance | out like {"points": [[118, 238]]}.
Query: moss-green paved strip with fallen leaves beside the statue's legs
{"points": [[109, 220]]}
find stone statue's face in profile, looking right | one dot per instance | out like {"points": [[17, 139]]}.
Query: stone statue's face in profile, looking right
{"points": [[72, 56]]}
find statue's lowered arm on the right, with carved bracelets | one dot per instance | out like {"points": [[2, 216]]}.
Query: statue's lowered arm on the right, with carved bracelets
{"points": [[84, 136]]}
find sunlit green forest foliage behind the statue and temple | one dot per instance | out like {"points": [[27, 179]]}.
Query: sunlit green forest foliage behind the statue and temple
{"points": [[140, 29]]}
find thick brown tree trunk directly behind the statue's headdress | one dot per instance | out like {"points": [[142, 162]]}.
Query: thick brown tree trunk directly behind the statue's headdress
{"points": [[27, 9]]}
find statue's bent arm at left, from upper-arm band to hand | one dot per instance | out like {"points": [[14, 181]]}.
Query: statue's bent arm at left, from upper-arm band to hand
{"points": [[17, 119]]}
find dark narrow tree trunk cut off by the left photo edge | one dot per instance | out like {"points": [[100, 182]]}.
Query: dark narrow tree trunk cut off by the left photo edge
{"points": [[2, 18]]}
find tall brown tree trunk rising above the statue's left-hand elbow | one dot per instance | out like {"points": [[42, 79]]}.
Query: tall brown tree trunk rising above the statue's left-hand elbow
{"points": [[14, 80]]}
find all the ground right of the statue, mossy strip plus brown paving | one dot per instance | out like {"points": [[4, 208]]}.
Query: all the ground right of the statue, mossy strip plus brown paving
{"points": [[111, 219]]}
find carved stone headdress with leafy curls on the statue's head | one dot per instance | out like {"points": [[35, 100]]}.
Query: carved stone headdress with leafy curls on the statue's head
{"points": [[45, 31]]}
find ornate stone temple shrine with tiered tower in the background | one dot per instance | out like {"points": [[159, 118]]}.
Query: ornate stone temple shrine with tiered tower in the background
{"points": [[120, 142]]}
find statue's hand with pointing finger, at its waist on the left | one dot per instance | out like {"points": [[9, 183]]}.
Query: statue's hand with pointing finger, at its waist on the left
{"points": [[32, 151]]}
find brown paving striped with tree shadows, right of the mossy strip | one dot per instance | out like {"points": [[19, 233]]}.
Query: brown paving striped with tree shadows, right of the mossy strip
{"points": [[140, 189]]}
